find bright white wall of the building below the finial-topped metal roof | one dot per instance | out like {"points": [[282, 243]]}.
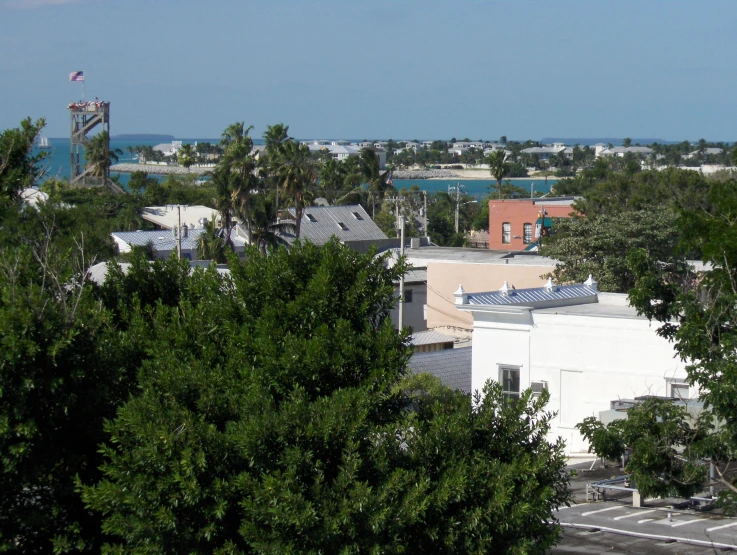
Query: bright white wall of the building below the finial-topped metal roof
{"points": [[586, 360]]}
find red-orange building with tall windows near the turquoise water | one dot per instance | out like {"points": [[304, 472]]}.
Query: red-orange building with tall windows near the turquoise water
{"points": [[517, 224]]}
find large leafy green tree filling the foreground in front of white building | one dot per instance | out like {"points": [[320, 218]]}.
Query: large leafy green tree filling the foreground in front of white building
{"points": [[269, 421]]}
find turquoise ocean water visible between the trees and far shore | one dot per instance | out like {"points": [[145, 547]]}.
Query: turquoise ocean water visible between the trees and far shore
{"points": [[57, 167]]}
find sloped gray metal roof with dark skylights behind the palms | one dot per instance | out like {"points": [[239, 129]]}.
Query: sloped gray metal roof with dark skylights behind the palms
{"points": [[320, 223]]}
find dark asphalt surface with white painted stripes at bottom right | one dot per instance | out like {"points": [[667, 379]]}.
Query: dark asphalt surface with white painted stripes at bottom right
{"points": [[616, 527]]}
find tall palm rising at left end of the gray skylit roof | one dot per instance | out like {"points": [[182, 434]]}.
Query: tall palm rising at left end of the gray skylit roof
{"points": [[297, 175]]}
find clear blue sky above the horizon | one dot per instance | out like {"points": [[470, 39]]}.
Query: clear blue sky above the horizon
{"points": [[378, 69]]}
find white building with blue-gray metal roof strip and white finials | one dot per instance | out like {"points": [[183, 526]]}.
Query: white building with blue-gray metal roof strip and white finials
{"points": [[586, 348]]}
